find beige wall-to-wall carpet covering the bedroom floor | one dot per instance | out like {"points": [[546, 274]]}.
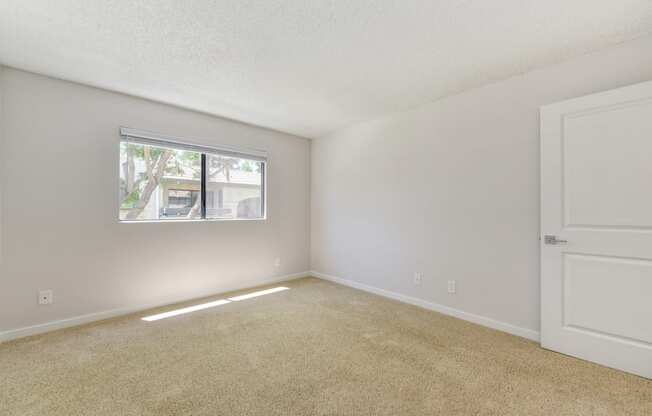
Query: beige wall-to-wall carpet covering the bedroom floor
{"points": [[316, 349]]}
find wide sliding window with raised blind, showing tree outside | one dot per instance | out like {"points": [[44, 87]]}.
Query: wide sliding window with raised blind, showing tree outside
{"points": [[161, 179]]}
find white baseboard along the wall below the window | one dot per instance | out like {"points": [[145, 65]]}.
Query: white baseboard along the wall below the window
{"points": [[98, 316]]}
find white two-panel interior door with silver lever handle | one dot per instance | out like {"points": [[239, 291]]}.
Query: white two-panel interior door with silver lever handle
{"points": [[596, 194]]}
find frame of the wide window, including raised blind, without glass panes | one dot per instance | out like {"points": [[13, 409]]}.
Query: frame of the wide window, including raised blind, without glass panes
{"points": [[129, 135]]}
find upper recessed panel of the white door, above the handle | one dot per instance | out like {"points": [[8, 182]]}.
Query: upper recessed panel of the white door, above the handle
{"points": [[606, 164]]}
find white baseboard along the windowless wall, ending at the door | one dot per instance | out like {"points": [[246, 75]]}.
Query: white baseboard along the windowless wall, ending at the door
{"points": [[446, 310]]}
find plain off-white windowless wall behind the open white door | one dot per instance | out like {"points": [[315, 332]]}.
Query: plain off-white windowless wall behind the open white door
{"points": [[451, 189]]}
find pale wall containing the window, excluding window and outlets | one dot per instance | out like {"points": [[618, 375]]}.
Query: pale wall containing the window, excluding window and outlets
{"points": [[60, 207]]}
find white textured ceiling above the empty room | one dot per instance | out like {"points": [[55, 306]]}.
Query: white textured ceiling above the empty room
{"points": [[305, 66]]}
